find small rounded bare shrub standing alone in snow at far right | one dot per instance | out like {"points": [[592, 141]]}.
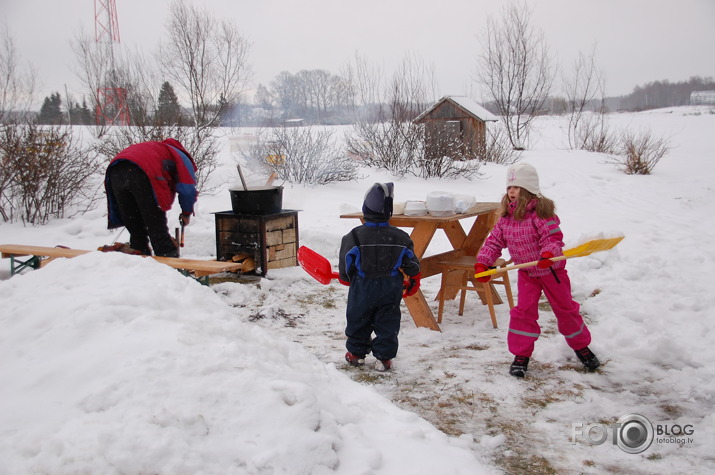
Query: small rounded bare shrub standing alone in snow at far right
{"points": [[640, 152]]}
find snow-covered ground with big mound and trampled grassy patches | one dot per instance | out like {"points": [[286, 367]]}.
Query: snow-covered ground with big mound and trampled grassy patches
{"points": [[114, 364]]}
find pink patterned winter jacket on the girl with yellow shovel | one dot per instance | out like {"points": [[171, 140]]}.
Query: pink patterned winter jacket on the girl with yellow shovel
{"points": [[525, 239]]}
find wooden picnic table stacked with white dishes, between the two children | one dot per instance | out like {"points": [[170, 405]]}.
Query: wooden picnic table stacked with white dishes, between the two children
{"points": [[463, 243]]}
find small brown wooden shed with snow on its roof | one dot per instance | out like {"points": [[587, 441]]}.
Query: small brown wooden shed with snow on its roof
{"points": [[455, 126]]}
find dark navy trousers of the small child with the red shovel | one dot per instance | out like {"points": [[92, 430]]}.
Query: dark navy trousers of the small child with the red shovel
{"points": [[374, 306]]}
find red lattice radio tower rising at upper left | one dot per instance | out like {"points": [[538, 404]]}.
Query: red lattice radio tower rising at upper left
{"points": [[111, 101]]}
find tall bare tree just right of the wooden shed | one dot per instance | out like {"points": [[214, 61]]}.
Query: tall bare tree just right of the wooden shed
{"points": [[516, 69]]}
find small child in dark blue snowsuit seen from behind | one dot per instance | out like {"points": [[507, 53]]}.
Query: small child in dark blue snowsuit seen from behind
{"points": [[371, 258]]}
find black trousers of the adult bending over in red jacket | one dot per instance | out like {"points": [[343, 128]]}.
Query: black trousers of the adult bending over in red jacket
{"points": [[141, 215]]}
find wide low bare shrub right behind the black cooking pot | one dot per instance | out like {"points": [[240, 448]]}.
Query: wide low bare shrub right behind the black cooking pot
{"points": [[305, 155]]}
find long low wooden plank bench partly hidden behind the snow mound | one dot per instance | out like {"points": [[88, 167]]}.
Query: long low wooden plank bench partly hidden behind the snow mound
{"points": [[198, 269]]}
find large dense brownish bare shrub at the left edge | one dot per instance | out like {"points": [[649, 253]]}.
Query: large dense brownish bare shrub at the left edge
{"points": [[45, 174]]}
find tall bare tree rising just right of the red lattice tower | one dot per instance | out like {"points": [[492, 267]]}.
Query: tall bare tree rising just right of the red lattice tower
{"points": [[207, 58]]}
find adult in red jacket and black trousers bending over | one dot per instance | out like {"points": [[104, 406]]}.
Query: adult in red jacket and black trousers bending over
{"points": [[141, 183]]}
